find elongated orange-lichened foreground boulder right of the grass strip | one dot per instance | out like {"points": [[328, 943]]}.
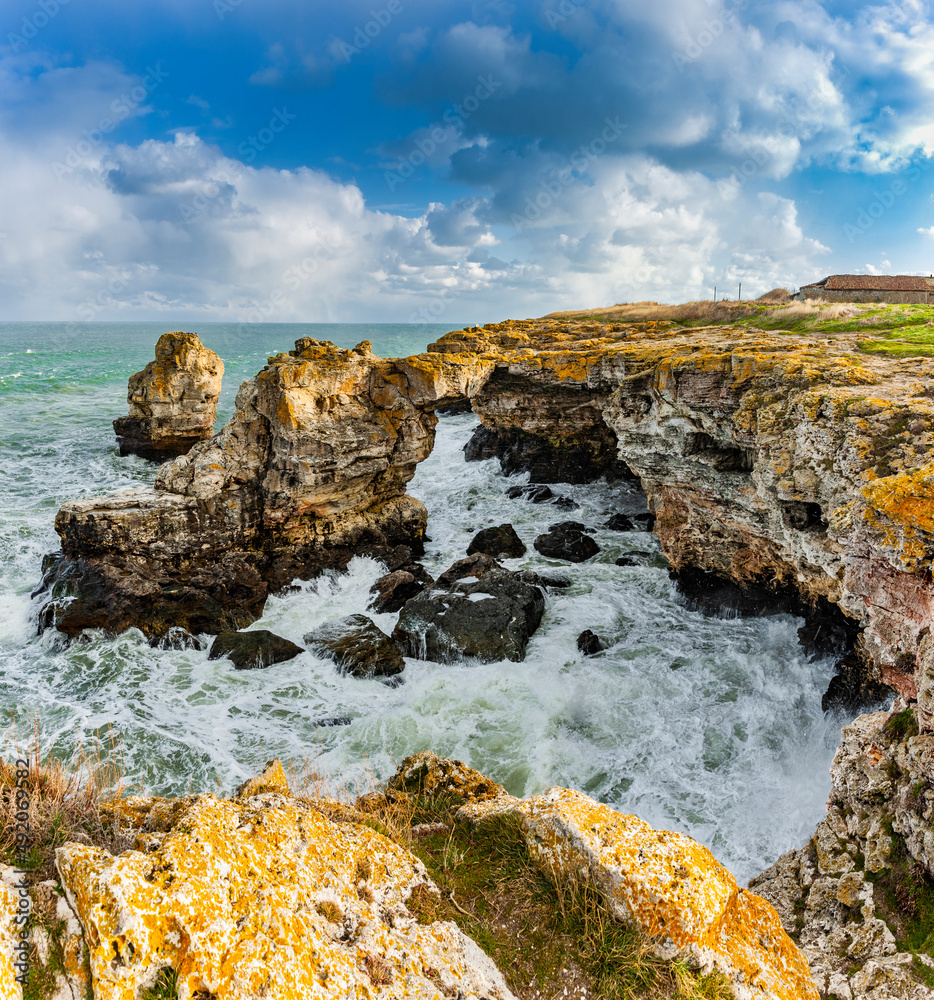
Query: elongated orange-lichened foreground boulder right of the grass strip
{"points": [[669, 886]]}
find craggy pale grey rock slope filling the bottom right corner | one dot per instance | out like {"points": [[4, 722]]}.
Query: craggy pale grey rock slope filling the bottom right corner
{"points": [[855, 896]]}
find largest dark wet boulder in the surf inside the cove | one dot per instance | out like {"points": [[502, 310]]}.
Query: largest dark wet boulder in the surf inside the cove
{"points": [[492, 619]]}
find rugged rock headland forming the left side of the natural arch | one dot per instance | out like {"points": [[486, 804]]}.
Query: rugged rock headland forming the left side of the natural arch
{"points": [[309, 471]]}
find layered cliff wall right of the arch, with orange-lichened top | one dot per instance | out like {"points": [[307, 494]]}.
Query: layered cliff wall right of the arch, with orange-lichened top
{"points": [[790, 461]]}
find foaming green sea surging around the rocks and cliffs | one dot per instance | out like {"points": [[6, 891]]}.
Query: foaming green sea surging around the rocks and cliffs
{"points": [[708, 725]]}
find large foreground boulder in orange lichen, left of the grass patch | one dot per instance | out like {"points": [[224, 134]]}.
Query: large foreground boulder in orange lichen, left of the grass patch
{"points": [[235, 899]]}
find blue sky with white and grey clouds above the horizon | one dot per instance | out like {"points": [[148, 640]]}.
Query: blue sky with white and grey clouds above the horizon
{"points": [[453, 160]]}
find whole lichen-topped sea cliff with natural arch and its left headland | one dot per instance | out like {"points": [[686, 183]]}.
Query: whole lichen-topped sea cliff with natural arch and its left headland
{"points": [[791, 461]]}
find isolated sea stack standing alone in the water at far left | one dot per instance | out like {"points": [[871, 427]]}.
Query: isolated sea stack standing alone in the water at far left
{"points": [[173, 400]]}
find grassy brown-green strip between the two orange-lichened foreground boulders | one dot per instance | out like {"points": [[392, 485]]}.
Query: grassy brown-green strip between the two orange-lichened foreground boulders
{"points": [[543, 935]]}
